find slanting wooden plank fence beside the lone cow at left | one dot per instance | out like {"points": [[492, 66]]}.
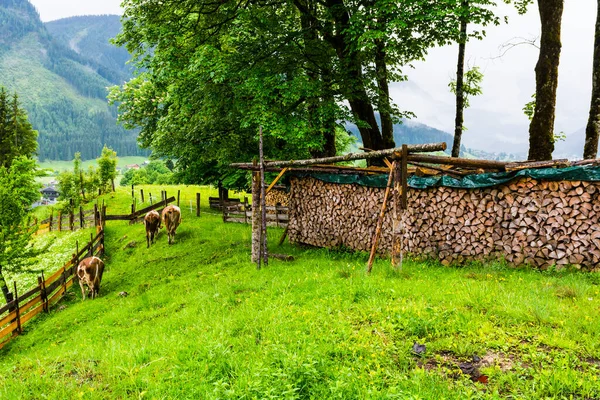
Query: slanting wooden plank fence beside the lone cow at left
{"points": [[47, 292]]}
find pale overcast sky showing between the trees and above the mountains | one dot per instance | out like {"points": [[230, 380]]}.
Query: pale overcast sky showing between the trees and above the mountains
{"points": [[495, 120]]}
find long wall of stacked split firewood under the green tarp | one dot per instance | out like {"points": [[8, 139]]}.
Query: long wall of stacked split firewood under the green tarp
{"points": [[525, 221]]}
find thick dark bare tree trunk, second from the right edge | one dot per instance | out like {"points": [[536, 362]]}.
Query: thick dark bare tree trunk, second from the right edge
{"points": [[541, 129]]}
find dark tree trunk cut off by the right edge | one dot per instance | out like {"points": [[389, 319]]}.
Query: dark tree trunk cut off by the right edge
{"points": [[592, 130]]}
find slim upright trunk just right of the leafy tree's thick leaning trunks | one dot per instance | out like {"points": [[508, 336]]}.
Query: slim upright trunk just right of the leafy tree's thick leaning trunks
{"points": [[387, 125]]}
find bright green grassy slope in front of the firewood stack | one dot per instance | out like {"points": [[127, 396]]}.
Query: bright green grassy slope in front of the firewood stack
{"points": [[199, 321]]}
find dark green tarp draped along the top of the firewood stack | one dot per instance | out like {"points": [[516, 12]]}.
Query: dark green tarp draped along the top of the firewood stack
{"points": [[584, 173]]}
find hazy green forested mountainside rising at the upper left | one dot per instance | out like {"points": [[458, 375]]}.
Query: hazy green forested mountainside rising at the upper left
{"points": [[63, 91]]}
